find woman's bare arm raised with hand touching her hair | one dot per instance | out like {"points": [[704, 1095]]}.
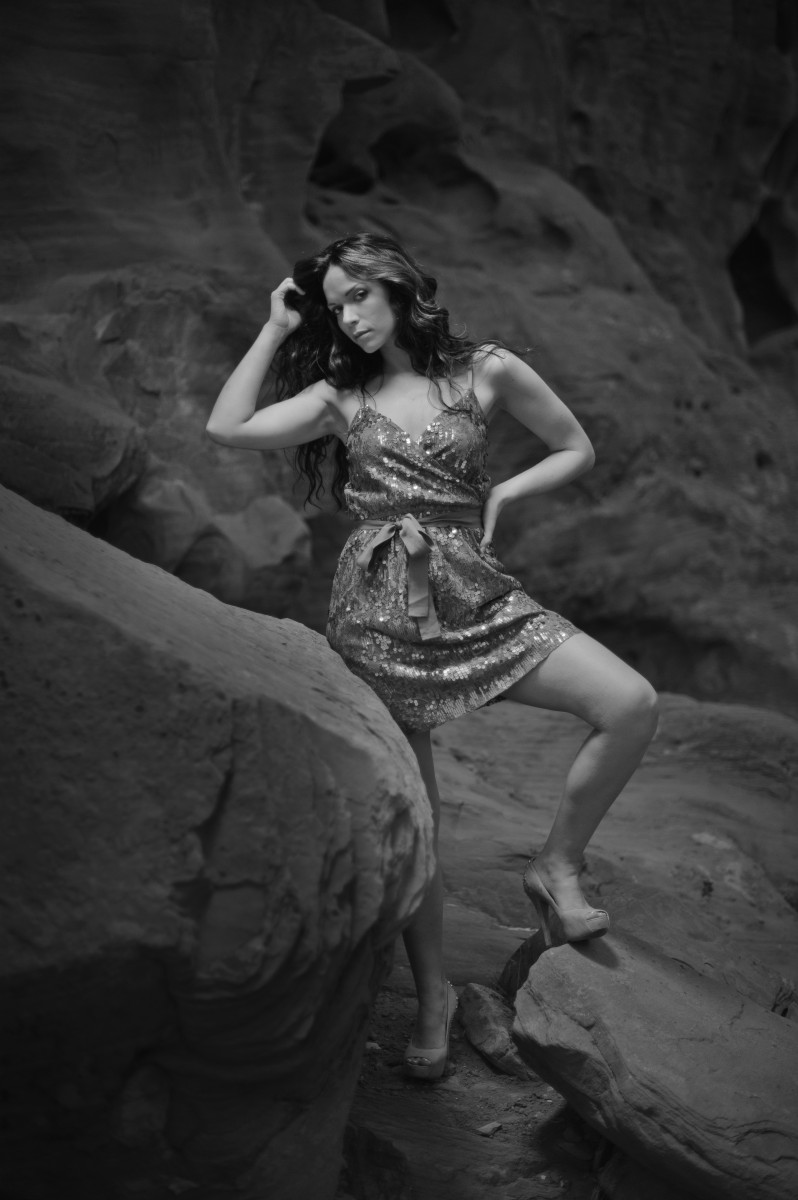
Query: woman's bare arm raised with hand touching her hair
{"points": [[303, 418]]}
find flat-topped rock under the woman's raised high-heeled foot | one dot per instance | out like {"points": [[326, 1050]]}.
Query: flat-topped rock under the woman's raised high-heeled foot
{"points": [[676, 1070]]}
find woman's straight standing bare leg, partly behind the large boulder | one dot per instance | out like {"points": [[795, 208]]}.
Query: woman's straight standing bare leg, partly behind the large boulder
{"points": [[424, 935]]}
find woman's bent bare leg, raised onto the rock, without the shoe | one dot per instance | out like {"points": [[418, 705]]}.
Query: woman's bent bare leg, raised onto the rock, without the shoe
{"points": [[585, 679]]}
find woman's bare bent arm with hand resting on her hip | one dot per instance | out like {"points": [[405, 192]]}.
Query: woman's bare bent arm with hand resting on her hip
{"points": [[518, 389]]}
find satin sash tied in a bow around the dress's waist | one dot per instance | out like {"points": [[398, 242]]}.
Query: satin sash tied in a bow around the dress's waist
{"points": [[412, 533]]}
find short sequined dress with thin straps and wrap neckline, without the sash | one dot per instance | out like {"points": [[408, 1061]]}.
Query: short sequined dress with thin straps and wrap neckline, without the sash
{"points": [[491, 633]]}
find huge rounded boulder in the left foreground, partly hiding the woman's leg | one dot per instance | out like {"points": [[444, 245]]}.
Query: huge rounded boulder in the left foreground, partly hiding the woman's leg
{"points": [[213, 833]]}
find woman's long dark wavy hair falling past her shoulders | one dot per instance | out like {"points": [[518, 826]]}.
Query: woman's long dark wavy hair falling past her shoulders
{"points": [[317, 350]]}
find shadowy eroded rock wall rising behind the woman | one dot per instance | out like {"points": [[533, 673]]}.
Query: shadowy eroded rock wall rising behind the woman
{"points": [[621, 196]]}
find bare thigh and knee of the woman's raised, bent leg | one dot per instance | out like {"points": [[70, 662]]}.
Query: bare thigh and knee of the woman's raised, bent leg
{"points": [[586, 679]]}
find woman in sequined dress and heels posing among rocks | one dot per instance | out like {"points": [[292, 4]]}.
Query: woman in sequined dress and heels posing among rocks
{"points": [[422, 609]]}
